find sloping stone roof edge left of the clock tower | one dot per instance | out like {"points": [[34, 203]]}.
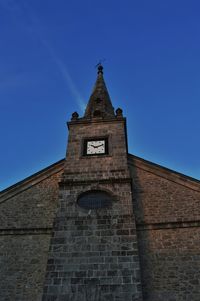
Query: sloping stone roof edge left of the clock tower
{"points": [[31, 180]]}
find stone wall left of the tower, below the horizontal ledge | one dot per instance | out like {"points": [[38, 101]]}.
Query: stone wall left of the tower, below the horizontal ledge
{"points": [[22, 264]]}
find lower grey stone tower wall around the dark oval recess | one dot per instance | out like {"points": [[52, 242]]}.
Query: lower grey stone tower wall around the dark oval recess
{"points": [[94, 255]]}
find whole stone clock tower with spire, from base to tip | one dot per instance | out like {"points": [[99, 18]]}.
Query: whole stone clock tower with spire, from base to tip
{"points": [[93, 253]]}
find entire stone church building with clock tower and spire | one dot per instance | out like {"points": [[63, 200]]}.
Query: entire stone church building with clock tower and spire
{"points": [[101, 224]]}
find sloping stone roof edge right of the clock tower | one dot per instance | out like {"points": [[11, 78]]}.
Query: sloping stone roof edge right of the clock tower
{"points": [[164, 172]]}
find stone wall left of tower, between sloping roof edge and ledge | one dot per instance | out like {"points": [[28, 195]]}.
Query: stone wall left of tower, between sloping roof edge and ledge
{"points": [[33, 207]]}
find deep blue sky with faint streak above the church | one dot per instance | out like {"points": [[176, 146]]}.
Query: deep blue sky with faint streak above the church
{"points": [[48, 53]]}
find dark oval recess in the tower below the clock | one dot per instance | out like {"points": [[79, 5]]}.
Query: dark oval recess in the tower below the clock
{"points": [[95, 199]]}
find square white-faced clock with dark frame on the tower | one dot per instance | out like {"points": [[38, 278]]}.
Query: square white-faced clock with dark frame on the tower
{"points": [[96, 146]]}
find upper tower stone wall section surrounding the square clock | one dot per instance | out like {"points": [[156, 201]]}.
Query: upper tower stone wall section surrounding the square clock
{"points": [[114, 165]]}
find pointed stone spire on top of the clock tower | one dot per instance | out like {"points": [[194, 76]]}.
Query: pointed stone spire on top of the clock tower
{"points": [[99, 104]]}
